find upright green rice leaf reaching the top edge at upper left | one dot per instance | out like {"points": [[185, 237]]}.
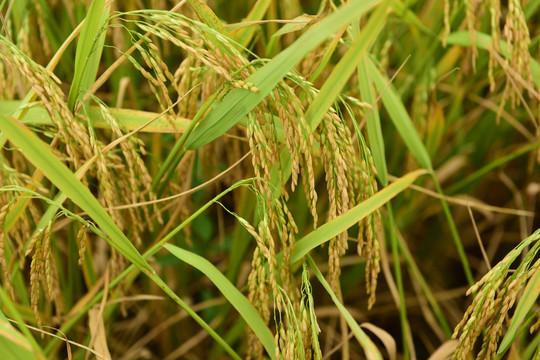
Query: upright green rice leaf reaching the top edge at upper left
{"points": [[89, 49]]}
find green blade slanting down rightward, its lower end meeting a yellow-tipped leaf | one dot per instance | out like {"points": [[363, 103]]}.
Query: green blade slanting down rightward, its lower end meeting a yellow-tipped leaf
{"points": [[400, 117]]}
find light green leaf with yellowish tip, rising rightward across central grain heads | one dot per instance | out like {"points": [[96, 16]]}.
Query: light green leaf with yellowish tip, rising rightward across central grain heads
{"points": [[345, 221]]}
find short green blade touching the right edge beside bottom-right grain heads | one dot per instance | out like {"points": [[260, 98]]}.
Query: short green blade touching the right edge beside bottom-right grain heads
{"points": [[530, 294]]}
